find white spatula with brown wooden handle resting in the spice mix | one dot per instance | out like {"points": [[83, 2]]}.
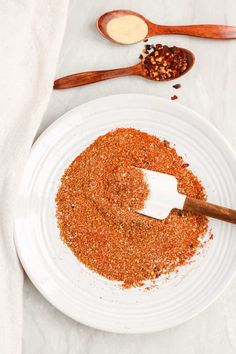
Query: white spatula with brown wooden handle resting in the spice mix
{"points": [[163, 197]]}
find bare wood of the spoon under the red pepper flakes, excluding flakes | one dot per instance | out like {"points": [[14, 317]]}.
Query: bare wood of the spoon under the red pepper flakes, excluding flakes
{"points": [[90, 77]]}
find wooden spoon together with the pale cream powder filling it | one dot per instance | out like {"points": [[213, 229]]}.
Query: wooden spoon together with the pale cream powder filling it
{"points": [[127, 27]]}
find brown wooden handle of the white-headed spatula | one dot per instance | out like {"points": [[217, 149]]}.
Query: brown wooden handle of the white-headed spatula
{"points": [[215, 211]]}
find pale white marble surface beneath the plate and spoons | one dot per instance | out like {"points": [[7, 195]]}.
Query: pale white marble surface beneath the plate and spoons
{"points": [[209, 89]]}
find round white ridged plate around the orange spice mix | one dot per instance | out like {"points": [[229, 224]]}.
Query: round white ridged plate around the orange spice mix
{"points": [[69, 285]]}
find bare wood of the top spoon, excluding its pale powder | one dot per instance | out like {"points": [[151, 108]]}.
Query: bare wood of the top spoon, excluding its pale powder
{"points": [[204, 31]]}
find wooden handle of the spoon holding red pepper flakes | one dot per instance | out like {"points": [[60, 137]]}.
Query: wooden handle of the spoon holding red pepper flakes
{"points": [[90, 77]]}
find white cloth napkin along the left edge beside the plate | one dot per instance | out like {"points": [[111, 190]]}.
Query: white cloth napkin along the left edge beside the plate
{"points": [[31, 32]]}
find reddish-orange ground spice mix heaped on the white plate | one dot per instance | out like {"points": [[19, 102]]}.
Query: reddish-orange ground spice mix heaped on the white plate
{"points": [[96, 203]]}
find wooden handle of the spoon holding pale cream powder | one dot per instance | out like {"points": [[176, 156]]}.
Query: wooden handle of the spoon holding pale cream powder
{"points": [[204, 31]]}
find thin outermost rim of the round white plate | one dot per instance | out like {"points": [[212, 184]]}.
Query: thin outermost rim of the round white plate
{"points": [[31, 276]]}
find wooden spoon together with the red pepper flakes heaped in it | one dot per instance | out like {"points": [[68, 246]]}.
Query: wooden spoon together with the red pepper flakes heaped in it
{"points": [[163, 63]]}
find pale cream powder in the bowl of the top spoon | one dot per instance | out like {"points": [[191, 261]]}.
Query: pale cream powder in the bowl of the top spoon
{"points": [[127, 29]]}
